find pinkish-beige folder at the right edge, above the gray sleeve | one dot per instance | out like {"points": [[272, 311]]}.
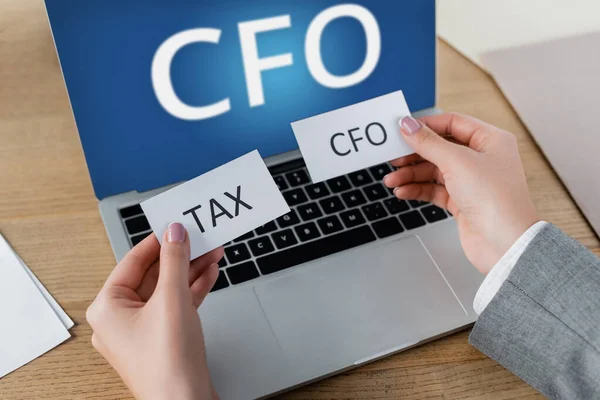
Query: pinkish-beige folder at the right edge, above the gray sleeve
{"points": [[555, 88]]}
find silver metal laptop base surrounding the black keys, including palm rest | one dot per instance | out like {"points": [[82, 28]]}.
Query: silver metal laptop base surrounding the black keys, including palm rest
{"points": [[303, 323]]}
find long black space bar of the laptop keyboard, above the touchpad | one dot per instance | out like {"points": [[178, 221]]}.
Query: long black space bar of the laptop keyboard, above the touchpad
{"points": [[316, 249]]}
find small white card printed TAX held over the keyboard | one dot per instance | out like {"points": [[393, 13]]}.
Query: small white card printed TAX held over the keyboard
{"points": [[220, 205]]}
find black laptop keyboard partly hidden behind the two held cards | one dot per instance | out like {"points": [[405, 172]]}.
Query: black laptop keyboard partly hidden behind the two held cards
{"points": [[325, 218]]}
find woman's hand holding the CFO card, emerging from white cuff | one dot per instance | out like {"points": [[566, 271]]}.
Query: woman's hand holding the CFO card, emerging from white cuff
{"points": [[472, 169]]}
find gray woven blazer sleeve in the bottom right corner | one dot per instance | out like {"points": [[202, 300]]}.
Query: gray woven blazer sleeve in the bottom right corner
{"points": [[544, 322]]}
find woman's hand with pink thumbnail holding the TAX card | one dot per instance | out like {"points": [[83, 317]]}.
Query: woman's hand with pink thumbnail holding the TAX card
{"points": [[145, 318]]}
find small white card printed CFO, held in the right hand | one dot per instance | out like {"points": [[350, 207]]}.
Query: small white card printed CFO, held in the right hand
{"points": [[354, 137]]}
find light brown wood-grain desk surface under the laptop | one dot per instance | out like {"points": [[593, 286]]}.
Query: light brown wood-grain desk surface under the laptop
{"points": [[49, 214]]}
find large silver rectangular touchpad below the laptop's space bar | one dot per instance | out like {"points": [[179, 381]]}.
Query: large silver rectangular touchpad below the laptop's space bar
{"points": [[348, 307]]}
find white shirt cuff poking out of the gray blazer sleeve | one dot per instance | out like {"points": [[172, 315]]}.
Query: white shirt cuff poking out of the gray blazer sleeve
{"points": [[499, 273]]}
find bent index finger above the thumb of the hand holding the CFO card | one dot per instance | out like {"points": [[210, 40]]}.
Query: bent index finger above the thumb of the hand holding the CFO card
{"points": [[465, 129]]}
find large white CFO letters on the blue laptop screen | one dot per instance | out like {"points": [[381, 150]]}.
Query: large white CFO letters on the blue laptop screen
{"points": [[254, 65]]}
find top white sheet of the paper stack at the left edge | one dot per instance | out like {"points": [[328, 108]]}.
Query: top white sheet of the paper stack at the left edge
{"points": [[30, 327]]}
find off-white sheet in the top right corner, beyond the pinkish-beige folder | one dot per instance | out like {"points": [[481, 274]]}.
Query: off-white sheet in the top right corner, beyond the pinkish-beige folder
{"points": [[475, 27]]}
